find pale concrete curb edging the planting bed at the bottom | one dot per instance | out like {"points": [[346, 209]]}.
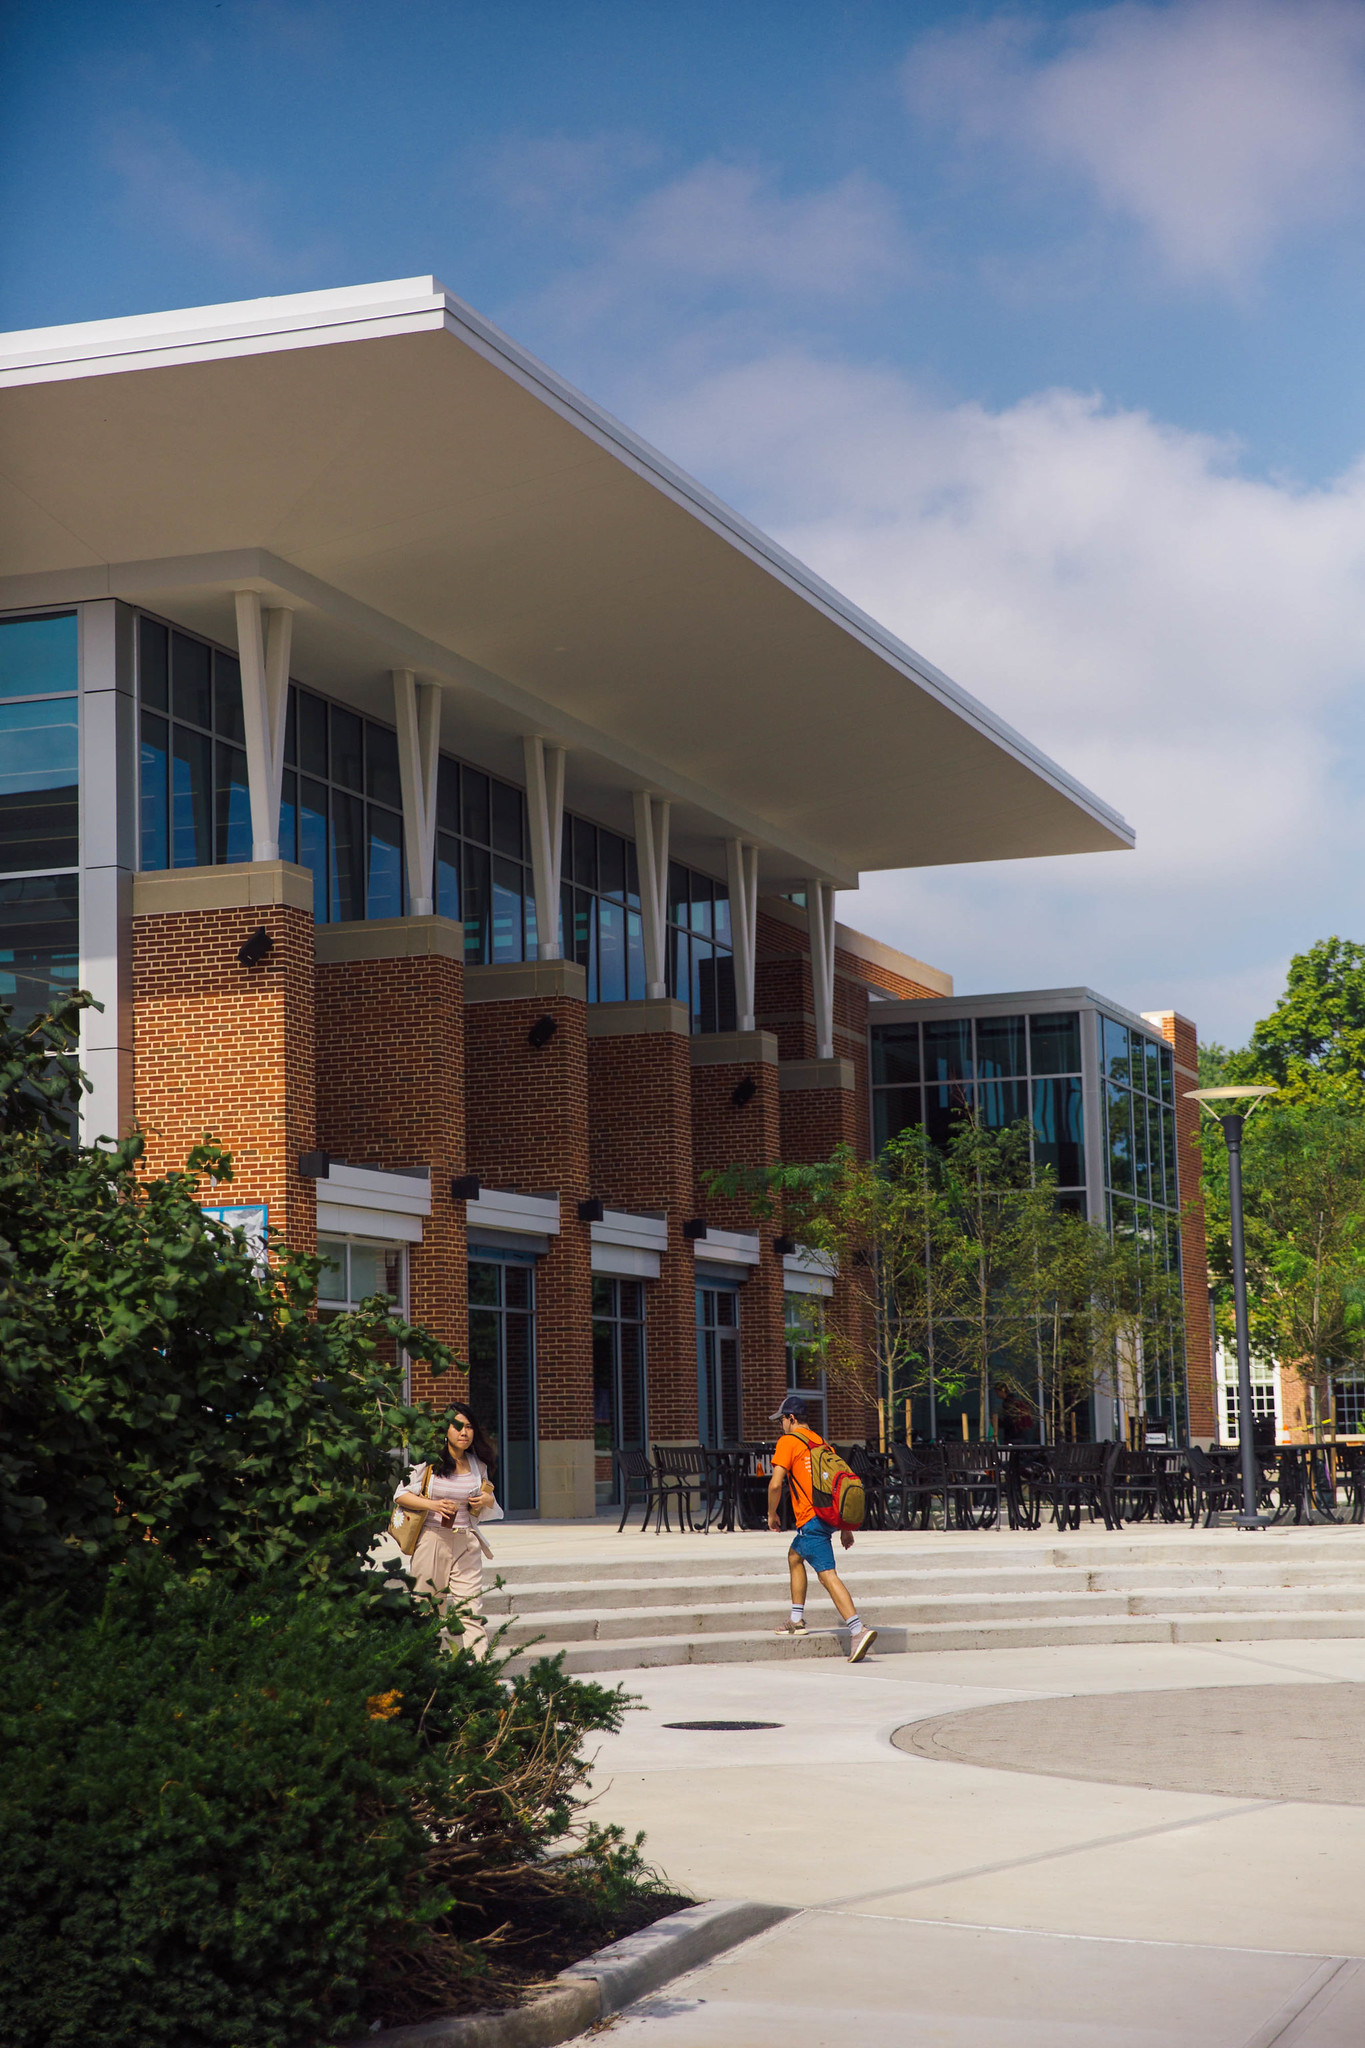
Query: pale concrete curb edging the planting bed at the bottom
{"points": [[599, 1986]]}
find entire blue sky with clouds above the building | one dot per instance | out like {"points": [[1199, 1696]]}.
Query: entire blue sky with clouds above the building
{"points": [[1034, 329]]}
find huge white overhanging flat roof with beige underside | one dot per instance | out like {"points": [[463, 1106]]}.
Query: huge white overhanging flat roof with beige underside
{"points": [[425, 495]]}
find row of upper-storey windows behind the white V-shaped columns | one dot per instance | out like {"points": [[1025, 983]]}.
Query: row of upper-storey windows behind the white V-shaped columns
{"points": [[343, 818]]}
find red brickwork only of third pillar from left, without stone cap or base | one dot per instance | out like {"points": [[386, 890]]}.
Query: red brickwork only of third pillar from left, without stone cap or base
{"points": [[527, 1129]]}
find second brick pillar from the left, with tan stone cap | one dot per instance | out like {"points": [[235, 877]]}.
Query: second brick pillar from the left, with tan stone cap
{"points": [[392, 1093]]}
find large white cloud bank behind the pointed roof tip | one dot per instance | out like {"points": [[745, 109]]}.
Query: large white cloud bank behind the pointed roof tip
{"points": [[1184, 638]]}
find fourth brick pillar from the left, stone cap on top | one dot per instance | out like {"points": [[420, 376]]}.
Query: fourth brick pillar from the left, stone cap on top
{"points": [[640, 1095]]}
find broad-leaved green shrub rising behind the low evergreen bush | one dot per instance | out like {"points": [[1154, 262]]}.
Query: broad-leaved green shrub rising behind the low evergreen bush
{"points": [[155, 1383]]}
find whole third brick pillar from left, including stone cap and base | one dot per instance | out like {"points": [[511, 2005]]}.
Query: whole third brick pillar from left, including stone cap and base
{"points": [[527, 1132]]}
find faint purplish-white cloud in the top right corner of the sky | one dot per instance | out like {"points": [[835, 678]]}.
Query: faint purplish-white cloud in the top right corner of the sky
{"points": [[1217, 126]]}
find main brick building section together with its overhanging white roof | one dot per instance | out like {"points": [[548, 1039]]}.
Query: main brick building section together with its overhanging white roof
{"points": [[447, 798]]}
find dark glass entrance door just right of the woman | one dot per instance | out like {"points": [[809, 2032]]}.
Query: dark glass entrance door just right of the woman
{"points": [[502, 1371]]}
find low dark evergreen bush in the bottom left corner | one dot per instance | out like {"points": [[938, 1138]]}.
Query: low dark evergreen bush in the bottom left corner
{"points": [[238, 1818]]}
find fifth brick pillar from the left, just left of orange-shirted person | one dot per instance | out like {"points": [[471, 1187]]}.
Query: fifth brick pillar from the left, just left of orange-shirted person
{"points": [[725, 1134]]}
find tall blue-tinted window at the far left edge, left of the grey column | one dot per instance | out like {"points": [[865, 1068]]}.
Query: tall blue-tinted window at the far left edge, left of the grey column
{"points": [[40, 812]]}
